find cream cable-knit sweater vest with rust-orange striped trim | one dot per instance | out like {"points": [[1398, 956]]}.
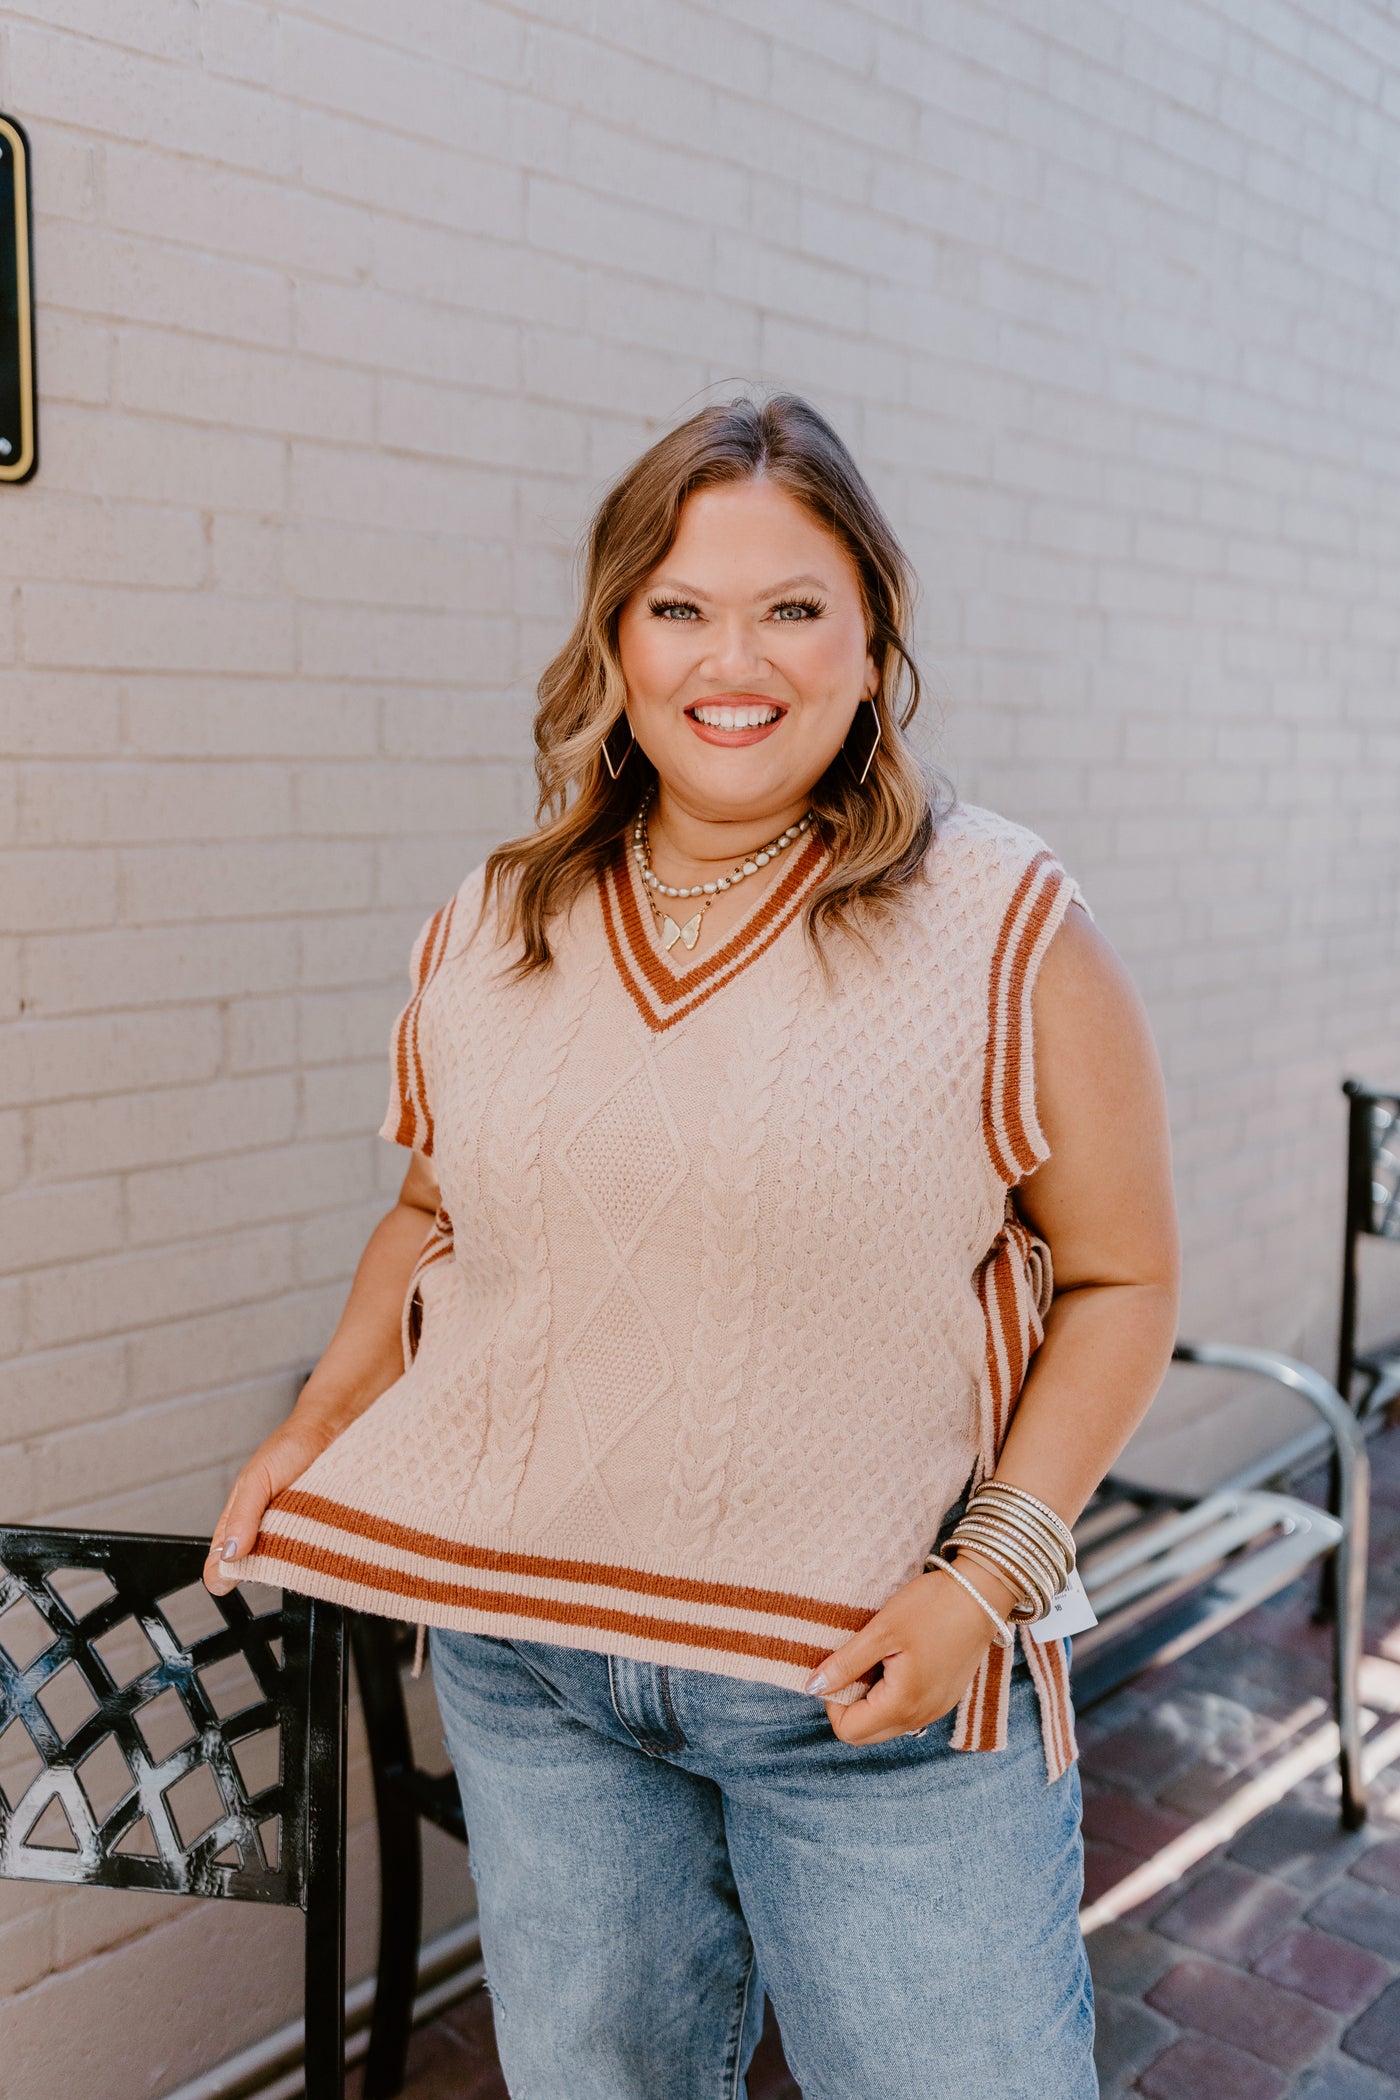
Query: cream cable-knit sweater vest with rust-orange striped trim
{"points": [[727, 1297]]}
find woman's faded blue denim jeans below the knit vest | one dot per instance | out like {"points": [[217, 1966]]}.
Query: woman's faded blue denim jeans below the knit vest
{"points": [[654, 1849]]}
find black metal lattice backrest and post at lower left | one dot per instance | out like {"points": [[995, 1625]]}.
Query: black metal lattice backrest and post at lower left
{"points": [[299, 1664]]}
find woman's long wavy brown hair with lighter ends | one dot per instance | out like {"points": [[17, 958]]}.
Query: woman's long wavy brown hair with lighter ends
{"points": [[878, 833]]}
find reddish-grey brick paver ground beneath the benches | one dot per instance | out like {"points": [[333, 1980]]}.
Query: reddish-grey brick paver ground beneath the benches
{"points": [[1271, 1969]]}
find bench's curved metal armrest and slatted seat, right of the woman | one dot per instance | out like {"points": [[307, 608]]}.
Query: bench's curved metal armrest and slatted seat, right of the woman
{"points": [[1168, 1572]]}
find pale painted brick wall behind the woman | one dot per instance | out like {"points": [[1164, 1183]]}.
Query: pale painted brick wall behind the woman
{"points": [[347, 314]]}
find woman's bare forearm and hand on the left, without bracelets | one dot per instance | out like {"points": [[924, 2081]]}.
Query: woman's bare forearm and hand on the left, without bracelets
{"points": [[362, 1360]]}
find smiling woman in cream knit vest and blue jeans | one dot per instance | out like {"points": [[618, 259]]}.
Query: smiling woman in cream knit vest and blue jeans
{"points": [[786, 1255]]}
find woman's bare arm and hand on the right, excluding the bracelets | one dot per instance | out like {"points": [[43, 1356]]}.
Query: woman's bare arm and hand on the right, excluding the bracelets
{"points": [[1105, 1209]]}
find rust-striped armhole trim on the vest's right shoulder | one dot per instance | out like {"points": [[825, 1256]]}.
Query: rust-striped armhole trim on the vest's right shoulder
{"points": [[1011, 1125]]}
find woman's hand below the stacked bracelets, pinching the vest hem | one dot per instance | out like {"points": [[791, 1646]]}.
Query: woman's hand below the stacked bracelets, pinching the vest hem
{"points": [[929, 1641]]}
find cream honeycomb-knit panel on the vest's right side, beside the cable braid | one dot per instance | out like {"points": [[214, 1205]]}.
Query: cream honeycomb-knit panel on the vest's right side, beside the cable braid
{"points": [[883, 1347]]}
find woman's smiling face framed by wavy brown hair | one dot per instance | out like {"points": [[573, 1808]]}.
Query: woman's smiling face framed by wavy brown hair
{"points": [[746, 654]]}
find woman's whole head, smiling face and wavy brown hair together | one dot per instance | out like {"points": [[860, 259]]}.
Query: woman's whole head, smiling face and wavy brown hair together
{"points": [[740, 566]]}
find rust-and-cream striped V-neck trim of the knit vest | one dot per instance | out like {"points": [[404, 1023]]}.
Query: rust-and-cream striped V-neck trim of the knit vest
{"points": [[658, 990]]}
